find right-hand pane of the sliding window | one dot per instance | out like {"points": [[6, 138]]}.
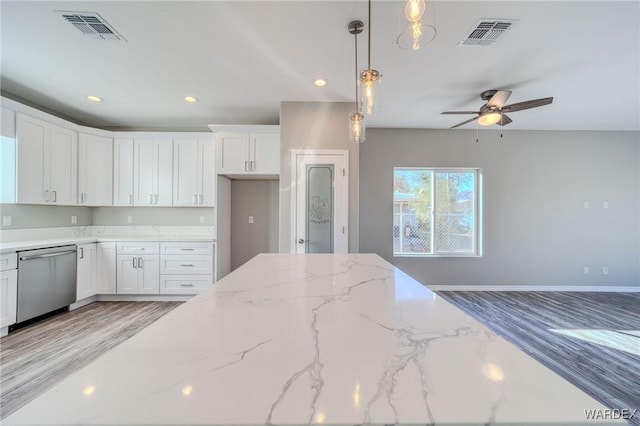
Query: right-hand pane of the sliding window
{"points": [[455, 212]]}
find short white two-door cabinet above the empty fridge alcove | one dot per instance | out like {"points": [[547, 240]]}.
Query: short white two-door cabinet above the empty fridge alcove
{"points": [[246, 154]]}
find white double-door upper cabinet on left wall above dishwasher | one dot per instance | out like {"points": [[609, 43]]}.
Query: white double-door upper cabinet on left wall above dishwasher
{"points": [[47, 162]]}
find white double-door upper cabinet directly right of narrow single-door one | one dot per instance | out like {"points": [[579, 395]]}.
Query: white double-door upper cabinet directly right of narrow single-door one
{"points": [[152, 172]]}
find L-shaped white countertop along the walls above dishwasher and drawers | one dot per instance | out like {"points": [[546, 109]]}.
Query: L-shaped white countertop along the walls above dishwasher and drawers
{"points": [[27, 239]]}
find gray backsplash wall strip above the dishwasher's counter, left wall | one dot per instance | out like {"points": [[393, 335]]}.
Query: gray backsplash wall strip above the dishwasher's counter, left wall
{"points": [[25, 216]]}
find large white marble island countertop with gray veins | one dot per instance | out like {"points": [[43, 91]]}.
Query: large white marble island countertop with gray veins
{"points": [[299, 339]]}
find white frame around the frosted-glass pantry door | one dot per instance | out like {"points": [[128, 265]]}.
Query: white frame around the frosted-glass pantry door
{"points": [[295, 153]]}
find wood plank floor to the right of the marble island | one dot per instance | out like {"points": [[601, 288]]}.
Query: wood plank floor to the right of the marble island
{"points": [[590, 339]]}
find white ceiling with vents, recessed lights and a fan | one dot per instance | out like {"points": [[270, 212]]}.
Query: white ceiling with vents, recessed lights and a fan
{"points": [[241, 59]]}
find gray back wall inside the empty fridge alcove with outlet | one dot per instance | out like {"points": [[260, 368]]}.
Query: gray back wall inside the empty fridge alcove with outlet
{"points": [[259, 199]]}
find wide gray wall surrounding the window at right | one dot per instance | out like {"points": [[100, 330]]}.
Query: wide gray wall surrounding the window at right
{"points": [[536, 230]]}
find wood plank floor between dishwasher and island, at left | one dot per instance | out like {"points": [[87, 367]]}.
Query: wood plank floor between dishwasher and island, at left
{"points": [[35, 358]]}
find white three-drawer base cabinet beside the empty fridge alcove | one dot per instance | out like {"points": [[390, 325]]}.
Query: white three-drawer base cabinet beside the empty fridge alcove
{"points": [[186, 267]]}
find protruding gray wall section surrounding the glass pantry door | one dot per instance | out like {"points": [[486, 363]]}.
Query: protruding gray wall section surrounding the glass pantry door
{"points": [[315, 125]]}
